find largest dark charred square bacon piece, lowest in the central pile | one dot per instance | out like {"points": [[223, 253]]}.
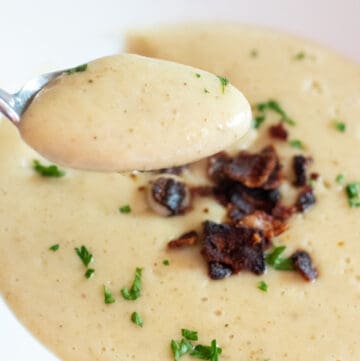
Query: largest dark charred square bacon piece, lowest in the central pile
{"points": [[228, 248]]}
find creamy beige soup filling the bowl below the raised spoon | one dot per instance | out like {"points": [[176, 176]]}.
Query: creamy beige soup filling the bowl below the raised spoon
{"points": [[294, 320]]}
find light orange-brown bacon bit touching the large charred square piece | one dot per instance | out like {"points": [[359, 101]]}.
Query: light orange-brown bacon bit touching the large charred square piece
{"points": [[270, 226]]}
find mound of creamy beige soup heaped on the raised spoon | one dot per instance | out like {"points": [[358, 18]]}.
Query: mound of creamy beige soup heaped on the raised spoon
{"points": [[126, 112]]}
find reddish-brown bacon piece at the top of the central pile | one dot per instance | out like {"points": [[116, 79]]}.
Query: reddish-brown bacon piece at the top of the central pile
{"points": [[252, 170]]}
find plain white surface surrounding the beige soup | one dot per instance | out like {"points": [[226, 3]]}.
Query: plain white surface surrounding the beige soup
{"points": [[41, 35]]}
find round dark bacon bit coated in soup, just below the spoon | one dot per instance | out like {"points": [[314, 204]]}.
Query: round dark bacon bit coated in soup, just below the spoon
{"points": [[169, 196]]}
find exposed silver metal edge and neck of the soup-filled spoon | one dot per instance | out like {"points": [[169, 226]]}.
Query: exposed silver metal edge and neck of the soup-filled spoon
{"points": [[14, 105]]}
